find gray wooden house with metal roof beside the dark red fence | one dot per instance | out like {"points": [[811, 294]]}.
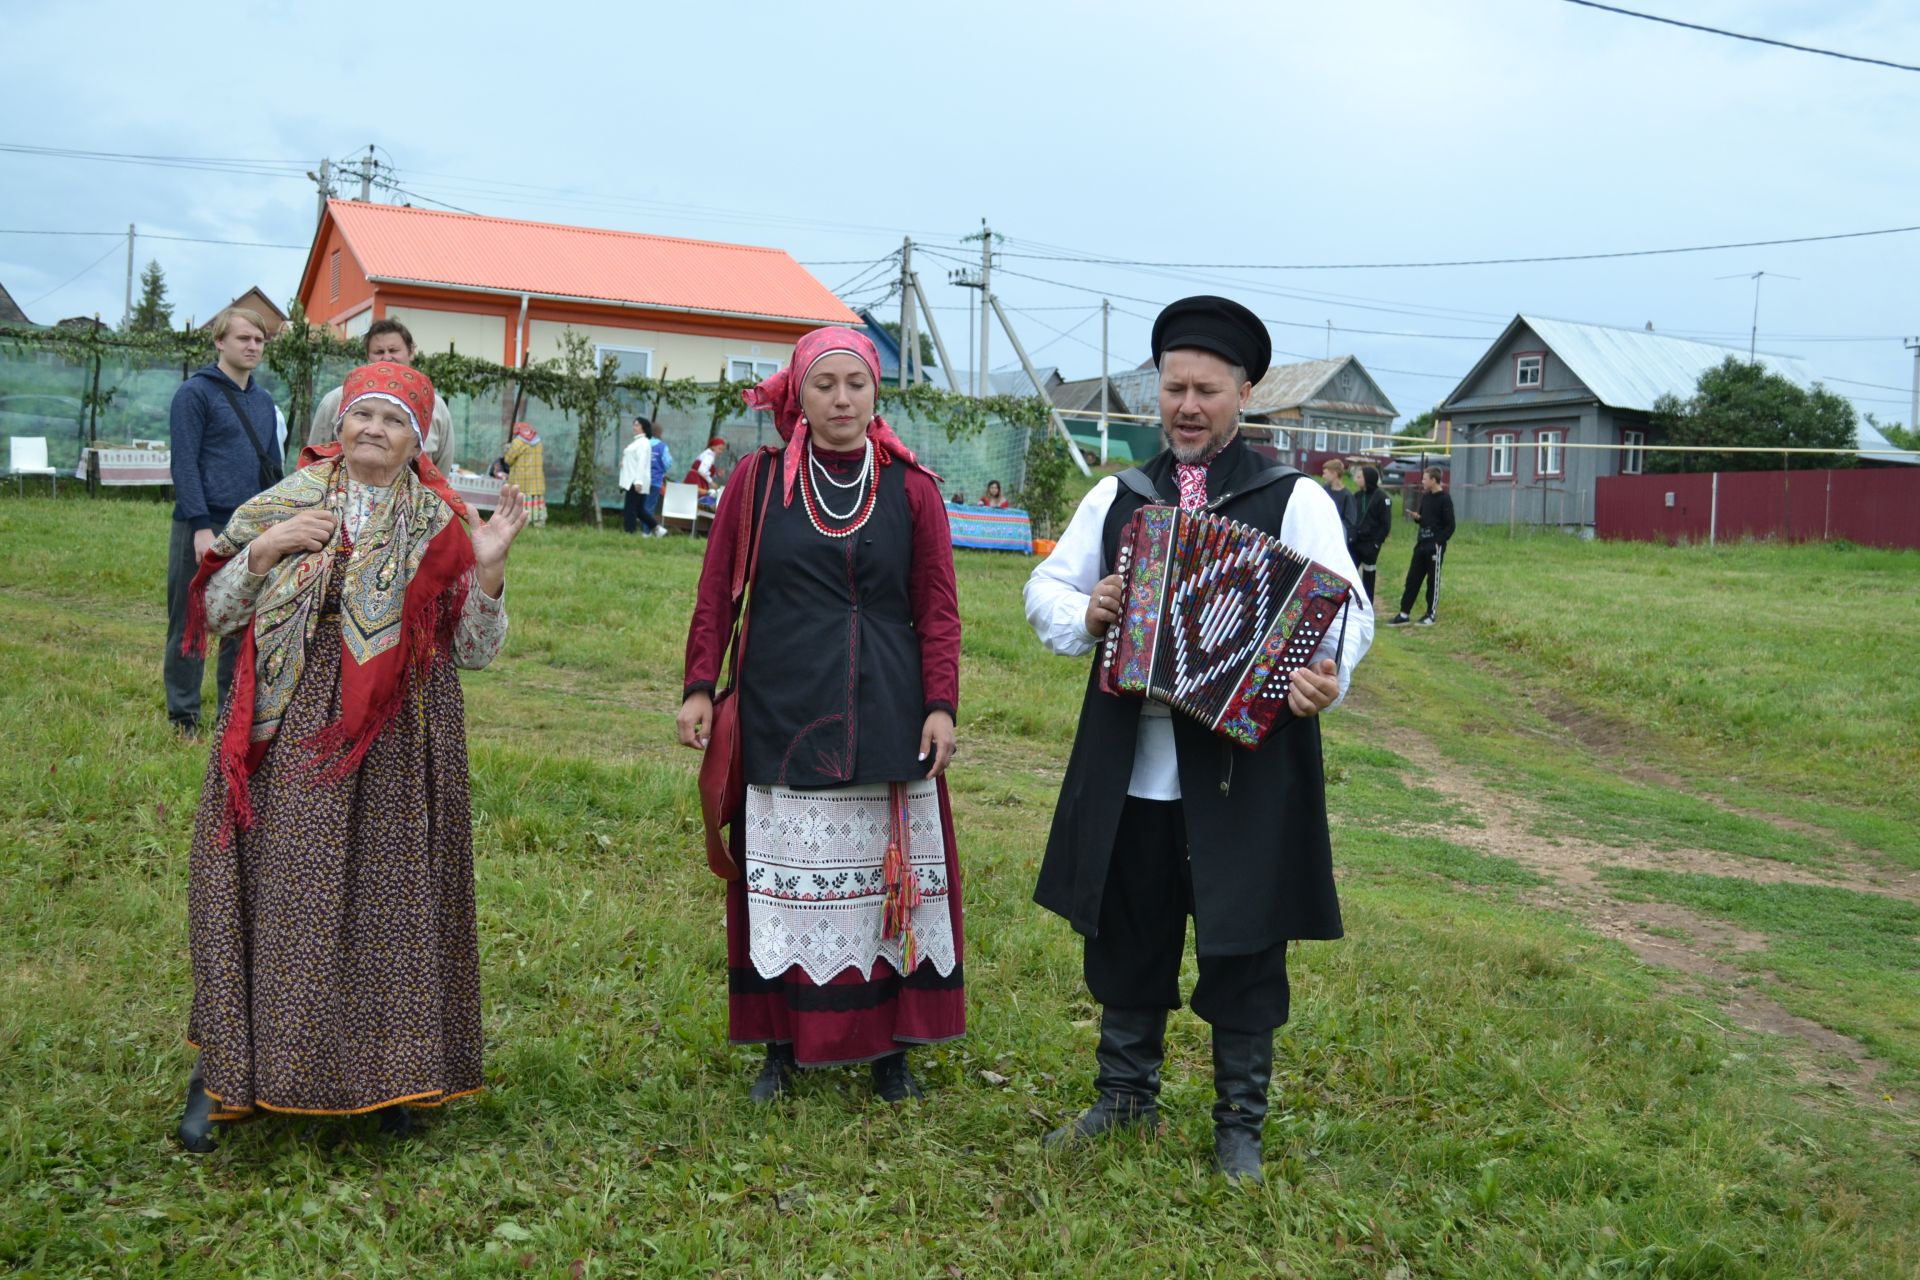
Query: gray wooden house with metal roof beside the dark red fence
{"points": [[1548, 385]]}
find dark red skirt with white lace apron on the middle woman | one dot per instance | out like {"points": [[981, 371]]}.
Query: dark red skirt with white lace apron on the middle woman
{"points": [[855, 1007]]}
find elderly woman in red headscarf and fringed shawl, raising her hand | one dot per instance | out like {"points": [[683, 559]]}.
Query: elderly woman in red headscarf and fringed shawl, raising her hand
{"points": [[331, 903]]}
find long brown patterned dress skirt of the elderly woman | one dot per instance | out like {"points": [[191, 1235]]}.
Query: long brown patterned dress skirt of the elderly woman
{"points": [[337, 960]]}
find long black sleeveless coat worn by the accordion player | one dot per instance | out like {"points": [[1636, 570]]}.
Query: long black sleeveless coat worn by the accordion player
{"points": [[1257, 820]]}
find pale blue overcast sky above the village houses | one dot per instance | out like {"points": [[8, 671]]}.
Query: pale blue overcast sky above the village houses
{"points": [[1370, 131]]}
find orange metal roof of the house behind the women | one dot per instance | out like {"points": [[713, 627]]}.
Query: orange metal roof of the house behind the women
{"points": [[621, 268]]}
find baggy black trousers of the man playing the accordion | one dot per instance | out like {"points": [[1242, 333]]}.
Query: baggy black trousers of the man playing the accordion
{"points": [[1136, 959]]}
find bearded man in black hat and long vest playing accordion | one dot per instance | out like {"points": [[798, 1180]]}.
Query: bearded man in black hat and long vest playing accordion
{"points": [[1159, 818]]}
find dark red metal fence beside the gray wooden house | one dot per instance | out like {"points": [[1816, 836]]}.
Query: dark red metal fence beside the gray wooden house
{"points": [[1875, 508]]}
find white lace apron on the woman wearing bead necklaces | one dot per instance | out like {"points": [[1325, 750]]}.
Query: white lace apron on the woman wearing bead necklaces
{"points": [[815, 880]]}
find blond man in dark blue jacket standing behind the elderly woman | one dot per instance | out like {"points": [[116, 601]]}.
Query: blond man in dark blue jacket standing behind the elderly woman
{"points": [[228, 446]]}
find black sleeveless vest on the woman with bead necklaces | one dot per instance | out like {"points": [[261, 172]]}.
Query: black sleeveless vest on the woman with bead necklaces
{"points": [[830, 684]]}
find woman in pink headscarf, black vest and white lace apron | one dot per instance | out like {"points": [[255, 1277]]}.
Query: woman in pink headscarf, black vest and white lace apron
{"points": [[844, 924]]}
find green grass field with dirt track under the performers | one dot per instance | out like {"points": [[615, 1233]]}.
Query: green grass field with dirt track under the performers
{"points": [[1602, 749]]}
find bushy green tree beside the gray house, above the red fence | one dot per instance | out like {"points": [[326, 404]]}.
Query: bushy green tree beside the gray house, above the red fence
{"points": [[1744, 406]]}
